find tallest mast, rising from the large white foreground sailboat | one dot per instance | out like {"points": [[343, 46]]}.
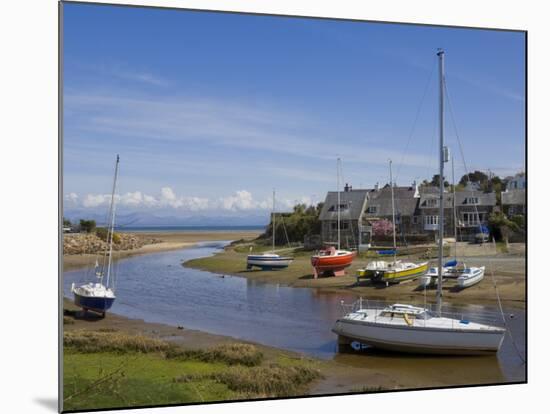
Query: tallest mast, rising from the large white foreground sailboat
{"points": [[441, 55]]}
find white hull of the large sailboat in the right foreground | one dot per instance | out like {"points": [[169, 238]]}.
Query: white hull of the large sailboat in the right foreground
{"points": [[414, 339]]}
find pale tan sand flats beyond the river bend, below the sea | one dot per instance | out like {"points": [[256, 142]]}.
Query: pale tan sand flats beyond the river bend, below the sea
{"points": [[169, 241]]}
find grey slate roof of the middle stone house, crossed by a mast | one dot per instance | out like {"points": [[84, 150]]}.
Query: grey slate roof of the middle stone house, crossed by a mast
{"points": [[405, 202]]}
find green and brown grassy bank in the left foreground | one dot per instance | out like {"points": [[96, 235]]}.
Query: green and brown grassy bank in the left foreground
{"points": [[114, 369]]}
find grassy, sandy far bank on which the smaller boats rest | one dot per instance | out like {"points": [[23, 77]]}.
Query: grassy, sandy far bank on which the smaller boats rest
{"points": [[508, 272]]}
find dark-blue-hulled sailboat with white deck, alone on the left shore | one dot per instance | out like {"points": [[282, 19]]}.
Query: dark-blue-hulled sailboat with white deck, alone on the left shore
{"points": [[98, 296]]}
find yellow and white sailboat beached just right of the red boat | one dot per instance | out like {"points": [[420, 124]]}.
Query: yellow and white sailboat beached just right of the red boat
{"points": [[392, 271]]}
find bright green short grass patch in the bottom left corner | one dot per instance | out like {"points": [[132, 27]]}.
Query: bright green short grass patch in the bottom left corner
{"points": [[134, 380]]}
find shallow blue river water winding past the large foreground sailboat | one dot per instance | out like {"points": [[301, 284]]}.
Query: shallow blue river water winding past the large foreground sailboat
{"points": [[157, 288]]}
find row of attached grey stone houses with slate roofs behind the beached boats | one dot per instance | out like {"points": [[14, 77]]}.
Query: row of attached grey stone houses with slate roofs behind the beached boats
{"points": [[416, 213]]}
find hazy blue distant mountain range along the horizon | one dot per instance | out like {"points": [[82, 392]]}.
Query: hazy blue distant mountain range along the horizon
{"points": [[136, 219]]}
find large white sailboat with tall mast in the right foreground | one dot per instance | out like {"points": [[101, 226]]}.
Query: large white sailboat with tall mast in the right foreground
{"points": [[407, 328]]}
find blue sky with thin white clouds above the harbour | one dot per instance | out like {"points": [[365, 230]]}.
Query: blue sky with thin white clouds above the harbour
{"points": [[211, 111]]}
